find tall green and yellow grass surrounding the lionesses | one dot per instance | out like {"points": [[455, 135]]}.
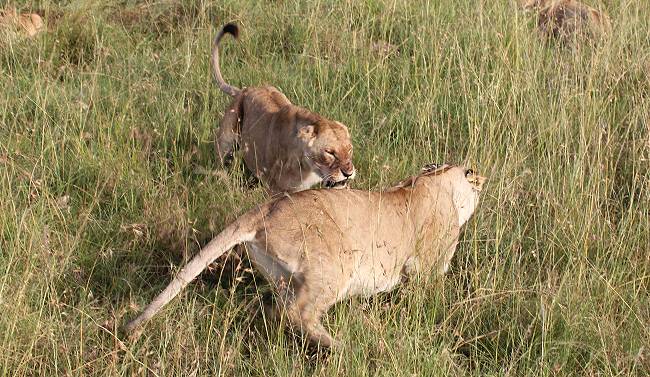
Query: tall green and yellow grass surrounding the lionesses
{"points": [[108, 183]]}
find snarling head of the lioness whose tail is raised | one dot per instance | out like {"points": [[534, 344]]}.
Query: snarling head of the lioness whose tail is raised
{"points": [[329, 151]]}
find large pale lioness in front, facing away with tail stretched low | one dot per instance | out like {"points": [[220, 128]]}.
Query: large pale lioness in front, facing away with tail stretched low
{"points": [[319, 247]]}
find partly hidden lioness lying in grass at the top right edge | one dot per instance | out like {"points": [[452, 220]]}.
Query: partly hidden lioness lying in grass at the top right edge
{"points": [[564, 19]]}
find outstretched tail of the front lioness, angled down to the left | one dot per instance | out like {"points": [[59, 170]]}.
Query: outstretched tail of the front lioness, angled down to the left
{"points": [[233, 235]]}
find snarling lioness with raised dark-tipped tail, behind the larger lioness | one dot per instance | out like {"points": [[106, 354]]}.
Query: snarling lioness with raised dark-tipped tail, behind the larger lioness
{"points": [[288, 147]]}
